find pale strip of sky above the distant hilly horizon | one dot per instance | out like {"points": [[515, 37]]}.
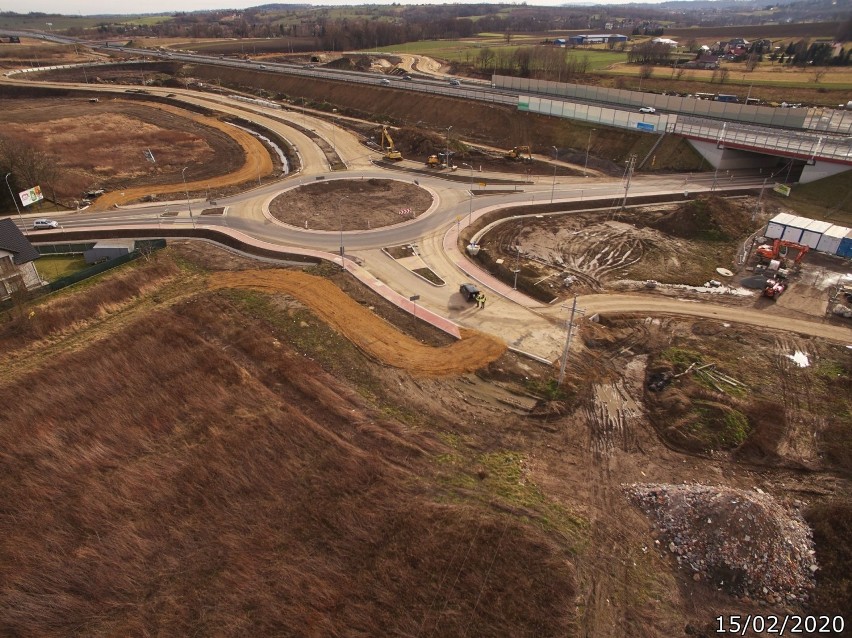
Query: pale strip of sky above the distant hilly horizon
{"points": [[94, 7]]}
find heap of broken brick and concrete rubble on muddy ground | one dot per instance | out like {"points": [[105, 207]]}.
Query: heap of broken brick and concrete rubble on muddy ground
{"points": [[744, 542]]}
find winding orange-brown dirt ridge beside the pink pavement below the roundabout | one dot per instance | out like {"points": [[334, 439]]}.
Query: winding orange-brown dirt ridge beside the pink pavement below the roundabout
{"points": [[372, 335]]}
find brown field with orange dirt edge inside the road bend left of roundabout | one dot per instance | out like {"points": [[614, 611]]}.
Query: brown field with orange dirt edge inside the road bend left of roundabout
{"points": [[103, 145]]}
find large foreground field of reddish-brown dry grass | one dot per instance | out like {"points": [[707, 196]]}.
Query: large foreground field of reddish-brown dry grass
{"points": [[191, 474]]}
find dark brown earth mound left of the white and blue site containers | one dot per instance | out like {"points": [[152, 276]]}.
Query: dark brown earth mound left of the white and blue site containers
{"points": [[705, 218]]}
